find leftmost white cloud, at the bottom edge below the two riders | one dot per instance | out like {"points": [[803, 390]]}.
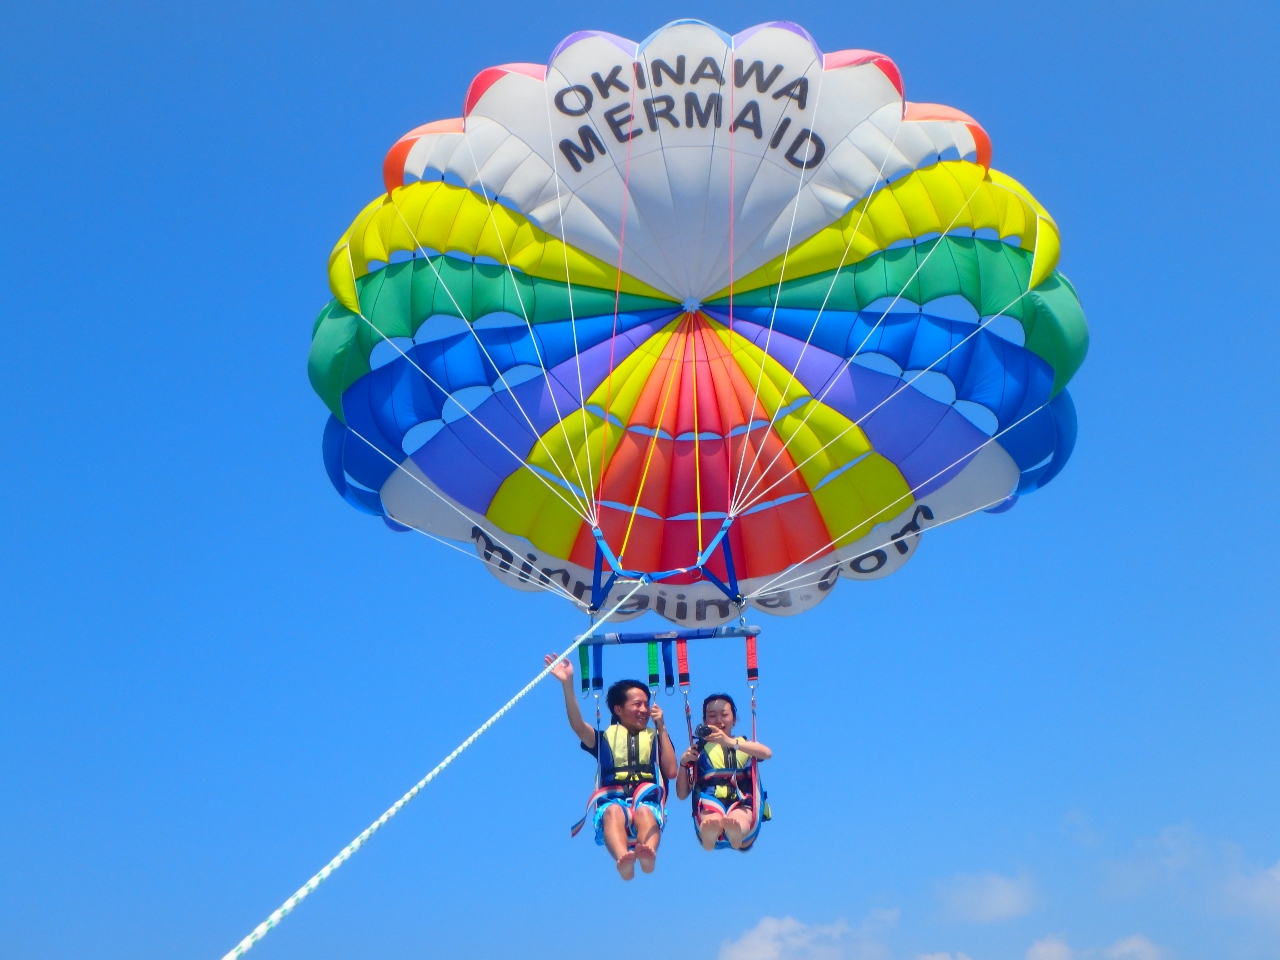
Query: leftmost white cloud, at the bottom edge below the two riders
{"points": [[788, 939]]}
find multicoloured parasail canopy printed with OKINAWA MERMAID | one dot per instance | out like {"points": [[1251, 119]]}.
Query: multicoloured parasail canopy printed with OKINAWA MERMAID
{"points": [[723, 316]]}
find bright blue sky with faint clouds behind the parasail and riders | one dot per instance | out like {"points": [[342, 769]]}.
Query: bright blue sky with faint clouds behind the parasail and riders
{"points": [[1050, 737]]}
